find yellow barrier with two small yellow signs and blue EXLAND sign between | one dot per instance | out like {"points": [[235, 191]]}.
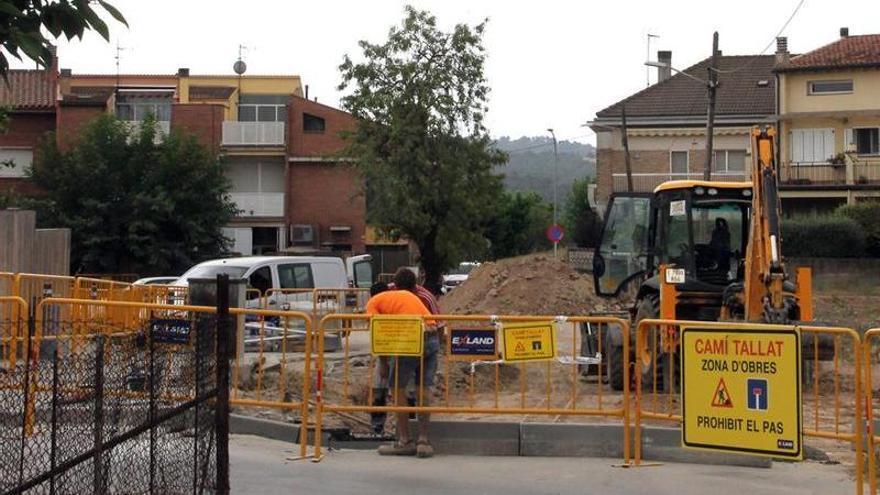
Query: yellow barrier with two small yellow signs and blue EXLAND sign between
{"points": [[501, 399]]}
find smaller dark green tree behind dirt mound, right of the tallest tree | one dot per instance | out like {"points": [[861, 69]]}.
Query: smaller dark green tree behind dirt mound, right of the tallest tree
{"points": [[519, 225]]}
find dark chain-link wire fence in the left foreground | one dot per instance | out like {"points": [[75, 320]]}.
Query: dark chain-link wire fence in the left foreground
{"points": [[137, 406]]}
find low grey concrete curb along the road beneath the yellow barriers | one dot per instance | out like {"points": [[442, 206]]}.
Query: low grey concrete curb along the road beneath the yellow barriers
{"points": [[523, 439]]}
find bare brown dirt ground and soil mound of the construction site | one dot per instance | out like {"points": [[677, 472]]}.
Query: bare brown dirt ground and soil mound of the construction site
{"points": [[539, 284]]}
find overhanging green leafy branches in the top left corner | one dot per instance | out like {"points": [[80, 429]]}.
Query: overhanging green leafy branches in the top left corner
{"points": [[22, 23]]}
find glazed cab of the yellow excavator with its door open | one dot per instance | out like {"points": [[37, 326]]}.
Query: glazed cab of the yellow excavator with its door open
{"points": [[698, 229]]}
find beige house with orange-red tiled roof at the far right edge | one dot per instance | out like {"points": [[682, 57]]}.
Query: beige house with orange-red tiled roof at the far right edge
{"points": [[829, 120]]}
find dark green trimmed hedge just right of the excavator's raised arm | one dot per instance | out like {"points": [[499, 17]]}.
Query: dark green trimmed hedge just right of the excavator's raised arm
{"points": [[827, 236]]}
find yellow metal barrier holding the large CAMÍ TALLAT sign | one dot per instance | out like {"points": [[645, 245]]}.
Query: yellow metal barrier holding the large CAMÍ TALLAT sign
{"points": [[823, 404]]}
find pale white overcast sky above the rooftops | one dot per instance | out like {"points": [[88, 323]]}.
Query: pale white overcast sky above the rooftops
{"points": [[551, 63]]}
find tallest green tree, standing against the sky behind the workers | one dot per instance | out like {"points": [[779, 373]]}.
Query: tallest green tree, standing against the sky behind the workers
{"points": [[420, 143]]}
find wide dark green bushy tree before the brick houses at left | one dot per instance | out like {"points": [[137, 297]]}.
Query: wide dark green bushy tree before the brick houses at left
{"points": [[134, 204]]}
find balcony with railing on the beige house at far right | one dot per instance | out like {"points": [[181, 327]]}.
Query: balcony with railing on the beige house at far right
{"points": [[863, 169]]}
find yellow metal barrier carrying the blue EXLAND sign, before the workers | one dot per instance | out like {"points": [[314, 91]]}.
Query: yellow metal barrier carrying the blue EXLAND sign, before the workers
{"points": [[568, 385]]}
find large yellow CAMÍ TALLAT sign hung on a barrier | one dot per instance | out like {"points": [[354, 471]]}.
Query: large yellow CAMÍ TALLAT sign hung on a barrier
{"points": [[741, 391]]}
